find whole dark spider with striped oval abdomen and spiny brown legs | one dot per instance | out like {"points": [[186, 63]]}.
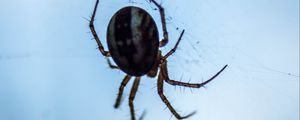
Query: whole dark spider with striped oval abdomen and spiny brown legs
{"points": [[133, 44]]}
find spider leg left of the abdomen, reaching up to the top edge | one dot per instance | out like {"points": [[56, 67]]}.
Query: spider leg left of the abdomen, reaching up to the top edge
{"points": [[92, 28]]}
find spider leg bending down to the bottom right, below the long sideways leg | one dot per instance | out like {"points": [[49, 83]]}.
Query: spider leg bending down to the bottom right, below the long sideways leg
{"points": [[160, 83]]}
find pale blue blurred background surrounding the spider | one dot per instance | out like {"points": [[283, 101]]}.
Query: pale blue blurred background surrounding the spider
{"points": [[51, 70]]}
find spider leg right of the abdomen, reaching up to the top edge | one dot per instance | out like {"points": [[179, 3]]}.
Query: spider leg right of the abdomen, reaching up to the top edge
{"points": [[165, 40]]}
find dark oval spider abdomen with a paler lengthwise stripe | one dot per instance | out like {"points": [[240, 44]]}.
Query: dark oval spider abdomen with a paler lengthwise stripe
{"points": [[132, 39]]}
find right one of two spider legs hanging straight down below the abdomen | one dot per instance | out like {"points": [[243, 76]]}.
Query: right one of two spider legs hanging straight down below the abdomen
{"points": [[132, 96]]}
